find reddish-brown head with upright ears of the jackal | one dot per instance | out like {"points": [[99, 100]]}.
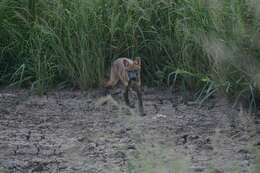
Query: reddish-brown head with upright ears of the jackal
{"points": [[133, 69]]}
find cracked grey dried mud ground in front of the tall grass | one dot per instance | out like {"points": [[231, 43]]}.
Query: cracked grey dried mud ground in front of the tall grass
{"points": [[75, 132]]}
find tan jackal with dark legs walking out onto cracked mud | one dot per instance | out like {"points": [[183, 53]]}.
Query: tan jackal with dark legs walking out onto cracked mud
{"points": [[129, 73]]}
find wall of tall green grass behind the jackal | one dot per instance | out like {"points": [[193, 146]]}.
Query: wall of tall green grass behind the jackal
{"points": [[206, 45]]}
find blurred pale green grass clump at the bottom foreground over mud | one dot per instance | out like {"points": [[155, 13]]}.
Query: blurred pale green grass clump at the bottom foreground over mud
{"points": [[156, 158]]}
